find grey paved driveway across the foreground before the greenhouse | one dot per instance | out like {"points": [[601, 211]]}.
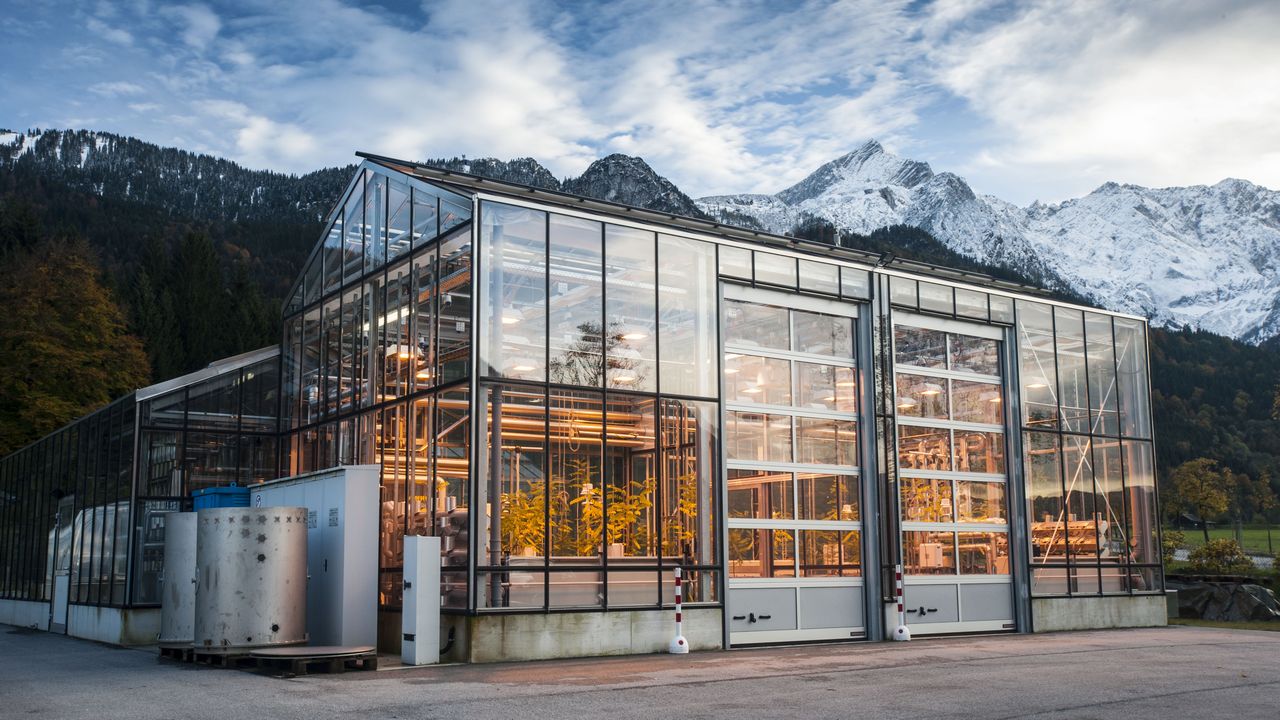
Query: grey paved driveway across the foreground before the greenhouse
{"points": [[1131, 675]]}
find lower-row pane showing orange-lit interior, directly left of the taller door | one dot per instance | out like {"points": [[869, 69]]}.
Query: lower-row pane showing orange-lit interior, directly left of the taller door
{"points": [[689, 449]]}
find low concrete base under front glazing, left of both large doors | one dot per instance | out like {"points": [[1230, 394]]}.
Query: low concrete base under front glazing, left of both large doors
{"points": [[497, 639]]}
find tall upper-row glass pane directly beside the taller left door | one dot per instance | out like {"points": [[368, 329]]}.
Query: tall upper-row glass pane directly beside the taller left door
{"points": [[687, 316]]}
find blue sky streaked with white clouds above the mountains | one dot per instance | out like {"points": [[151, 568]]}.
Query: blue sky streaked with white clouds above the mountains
{"points": [[1039, 101]]}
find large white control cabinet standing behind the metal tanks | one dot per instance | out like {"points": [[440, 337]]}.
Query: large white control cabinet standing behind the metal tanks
{"points": [[342, 550]]}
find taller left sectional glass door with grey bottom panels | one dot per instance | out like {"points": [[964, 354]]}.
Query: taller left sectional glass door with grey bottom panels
{"points": [[792, 450]]}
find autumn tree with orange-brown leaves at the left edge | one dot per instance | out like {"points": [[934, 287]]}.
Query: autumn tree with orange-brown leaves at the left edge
{"points": [[65, 347]]}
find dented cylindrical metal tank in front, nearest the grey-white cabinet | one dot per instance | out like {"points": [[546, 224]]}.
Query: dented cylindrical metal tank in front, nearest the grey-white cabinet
{"points": [[252, 578]]}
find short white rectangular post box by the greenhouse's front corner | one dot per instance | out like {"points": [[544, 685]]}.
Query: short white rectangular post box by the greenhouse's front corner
{"points": [[420, 619]]}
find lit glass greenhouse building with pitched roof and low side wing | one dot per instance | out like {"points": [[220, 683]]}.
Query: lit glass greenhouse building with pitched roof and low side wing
{"points": [[580, 397]]}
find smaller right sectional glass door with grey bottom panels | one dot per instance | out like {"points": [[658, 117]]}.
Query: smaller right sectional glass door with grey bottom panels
{"points": [[953, 476]]}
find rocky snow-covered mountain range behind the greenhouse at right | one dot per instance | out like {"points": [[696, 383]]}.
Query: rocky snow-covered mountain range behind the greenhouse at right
{"points": [[1206, 257]]}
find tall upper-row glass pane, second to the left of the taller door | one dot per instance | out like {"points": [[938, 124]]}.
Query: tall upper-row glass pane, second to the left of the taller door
{"points": [[630, 299]]}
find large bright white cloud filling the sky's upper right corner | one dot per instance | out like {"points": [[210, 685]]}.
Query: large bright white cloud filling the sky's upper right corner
{"points": [[1153, 93]]}
